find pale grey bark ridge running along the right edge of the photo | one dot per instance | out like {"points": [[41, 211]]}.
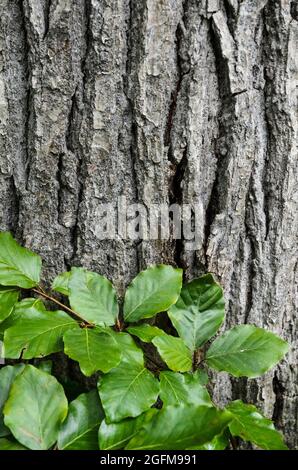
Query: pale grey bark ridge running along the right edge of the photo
{"points": [[280, 57]]}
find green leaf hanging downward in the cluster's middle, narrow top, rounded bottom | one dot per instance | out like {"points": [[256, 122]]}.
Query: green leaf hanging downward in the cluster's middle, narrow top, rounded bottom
{"points": [[129, 389]]}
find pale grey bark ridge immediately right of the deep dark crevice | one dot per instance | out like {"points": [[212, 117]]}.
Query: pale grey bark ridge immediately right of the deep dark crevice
{"points": [[195, 125]]}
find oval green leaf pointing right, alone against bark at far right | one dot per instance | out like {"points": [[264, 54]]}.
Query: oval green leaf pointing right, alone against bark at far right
{"points": [[246, 350]]}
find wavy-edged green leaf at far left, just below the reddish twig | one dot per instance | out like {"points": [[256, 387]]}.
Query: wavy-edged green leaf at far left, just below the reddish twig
{"points": [[36, 333]]}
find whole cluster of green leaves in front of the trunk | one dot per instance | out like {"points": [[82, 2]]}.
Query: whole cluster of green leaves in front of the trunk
{"points": [[152, 381]]}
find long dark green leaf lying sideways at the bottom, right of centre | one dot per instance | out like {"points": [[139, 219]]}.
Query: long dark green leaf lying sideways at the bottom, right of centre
{"points": [[180, 427]]}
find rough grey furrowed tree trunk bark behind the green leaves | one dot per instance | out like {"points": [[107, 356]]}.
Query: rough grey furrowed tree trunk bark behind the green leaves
{"points": [[161, 100]]}
